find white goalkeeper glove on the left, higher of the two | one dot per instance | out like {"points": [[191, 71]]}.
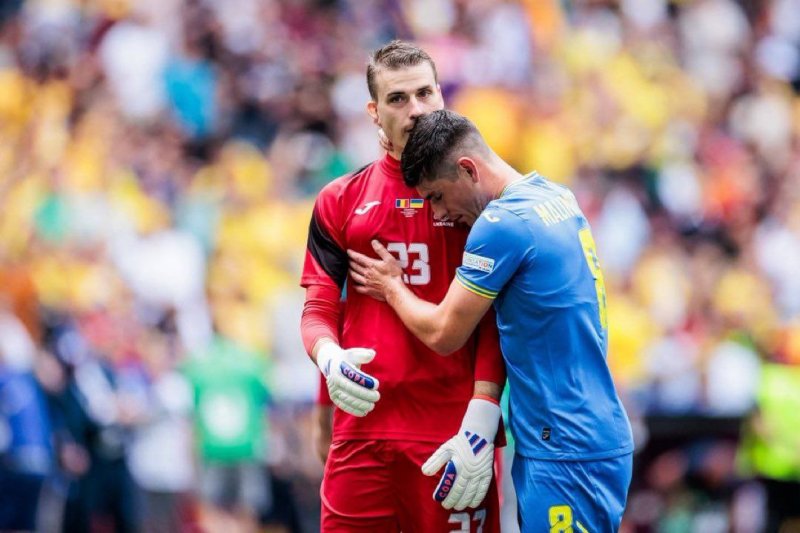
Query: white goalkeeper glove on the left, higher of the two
{"points": [[350, 389]]}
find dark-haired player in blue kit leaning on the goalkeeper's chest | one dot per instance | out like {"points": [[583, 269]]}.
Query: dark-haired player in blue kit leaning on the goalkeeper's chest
{"points": [[530, 252]]}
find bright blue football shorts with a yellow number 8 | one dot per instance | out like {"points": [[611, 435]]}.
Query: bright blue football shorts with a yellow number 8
{"points": [[571, 496]]}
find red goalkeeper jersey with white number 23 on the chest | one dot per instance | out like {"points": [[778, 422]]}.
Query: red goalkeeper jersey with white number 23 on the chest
{"points": [[423, 395]]}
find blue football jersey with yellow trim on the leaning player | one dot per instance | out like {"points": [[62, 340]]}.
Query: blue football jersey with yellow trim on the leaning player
{"points": [[532, 251]]}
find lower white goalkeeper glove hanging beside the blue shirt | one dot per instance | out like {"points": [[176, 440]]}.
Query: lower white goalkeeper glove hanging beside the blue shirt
{"points": [[468, 456]]}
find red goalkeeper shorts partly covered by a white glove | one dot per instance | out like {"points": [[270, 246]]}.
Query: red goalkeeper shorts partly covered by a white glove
{"points": [[377, 486]]}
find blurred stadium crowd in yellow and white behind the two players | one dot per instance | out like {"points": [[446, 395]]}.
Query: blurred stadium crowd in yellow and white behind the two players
{"points": [[158, 164]]}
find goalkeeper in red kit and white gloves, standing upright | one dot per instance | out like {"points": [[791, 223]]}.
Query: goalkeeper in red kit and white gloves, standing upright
{"points": [[408, 425]]}
